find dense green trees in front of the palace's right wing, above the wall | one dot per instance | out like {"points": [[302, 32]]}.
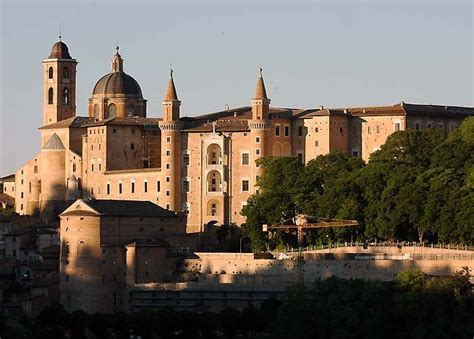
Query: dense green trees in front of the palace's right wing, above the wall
{"points": [[417, 187]]}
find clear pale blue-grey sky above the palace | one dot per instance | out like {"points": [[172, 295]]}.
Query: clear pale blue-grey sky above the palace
{"points": [[336, 54]]}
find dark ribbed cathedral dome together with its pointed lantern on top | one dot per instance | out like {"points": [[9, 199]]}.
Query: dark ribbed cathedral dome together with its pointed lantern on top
{"points": [[118, 82]]}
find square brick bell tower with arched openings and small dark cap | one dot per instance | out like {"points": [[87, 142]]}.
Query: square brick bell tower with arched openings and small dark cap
{"points": [[59, 88]]}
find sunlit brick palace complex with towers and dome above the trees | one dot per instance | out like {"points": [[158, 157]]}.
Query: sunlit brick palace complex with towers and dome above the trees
{"points": [[203, 166]]}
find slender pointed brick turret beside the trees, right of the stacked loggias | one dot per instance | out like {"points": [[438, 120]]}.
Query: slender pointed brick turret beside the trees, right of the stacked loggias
{"points": [[258, 126]]}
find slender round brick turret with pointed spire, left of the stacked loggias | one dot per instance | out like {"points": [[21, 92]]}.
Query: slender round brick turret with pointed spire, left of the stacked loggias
{"points": [[171, 150]]}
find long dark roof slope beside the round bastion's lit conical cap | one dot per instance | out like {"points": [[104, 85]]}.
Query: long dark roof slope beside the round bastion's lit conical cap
{"points": [[128, 208]]}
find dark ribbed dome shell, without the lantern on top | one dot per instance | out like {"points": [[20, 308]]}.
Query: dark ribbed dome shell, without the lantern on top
{"points": [[117, 83]]}
